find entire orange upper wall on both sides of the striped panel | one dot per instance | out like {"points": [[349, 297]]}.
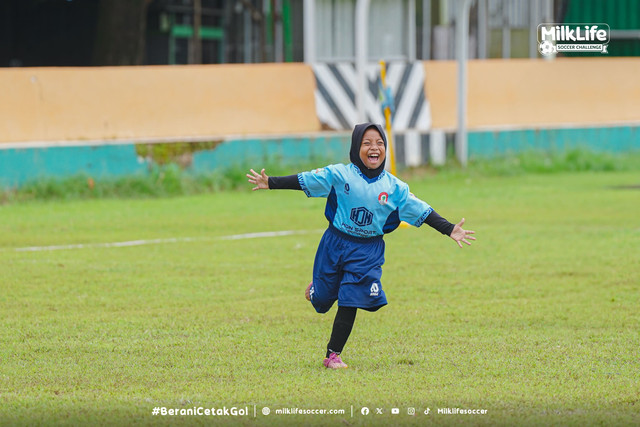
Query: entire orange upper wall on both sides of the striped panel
{"points": [[214, 101]]}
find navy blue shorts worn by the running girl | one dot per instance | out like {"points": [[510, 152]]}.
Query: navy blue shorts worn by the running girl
{"points": [[348, 269]]}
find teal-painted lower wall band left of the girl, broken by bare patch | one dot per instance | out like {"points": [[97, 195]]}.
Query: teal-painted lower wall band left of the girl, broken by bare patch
{"points": [[18, 166]]}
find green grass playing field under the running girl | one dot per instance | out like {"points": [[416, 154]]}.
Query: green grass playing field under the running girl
{"points": [[537, 322]]}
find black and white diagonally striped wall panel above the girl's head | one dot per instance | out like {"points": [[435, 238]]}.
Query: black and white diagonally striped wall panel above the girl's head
{"points": [[336, 100]]}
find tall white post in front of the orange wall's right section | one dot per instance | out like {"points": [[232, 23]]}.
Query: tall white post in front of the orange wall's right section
{"points": [[462, 47]]}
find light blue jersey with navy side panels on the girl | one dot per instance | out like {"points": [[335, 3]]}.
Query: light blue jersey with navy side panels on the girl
{"points": [[363, 207]]}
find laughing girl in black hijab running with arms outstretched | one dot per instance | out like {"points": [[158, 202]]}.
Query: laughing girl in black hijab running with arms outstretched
{"points": [[364, 202]]}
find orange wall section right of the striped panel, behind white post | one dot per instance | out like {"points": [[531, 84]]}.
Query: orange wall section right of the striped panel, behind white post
{"points": [[537, 92]]}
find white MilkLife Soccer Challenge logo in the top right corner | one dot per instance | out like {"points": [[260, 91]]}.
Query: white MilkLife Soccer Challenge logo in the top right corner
{"points": [[557, 38]]}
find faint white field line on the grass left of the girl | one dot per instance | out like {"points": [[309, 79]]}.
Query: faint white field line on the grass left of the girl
{"points": [[161, 241]]}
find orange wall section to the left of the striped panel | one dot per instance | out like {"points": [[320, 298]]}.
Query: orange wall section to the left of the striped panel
{"points": [[48, 104]]}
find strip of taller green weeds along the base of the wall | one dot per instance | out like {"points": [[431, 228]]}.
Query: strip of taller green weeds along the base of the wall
{"points": [[171, 180]]}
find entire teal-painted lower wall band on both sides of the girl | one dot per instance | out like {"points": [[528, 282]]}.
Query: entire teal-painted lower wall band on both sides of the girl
{"points": [[18, 166]]}
